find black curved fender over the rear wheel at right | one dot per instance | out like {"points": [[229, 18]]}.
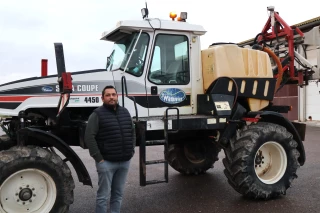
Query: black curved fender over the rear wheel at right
{"points": [[296, 129]]}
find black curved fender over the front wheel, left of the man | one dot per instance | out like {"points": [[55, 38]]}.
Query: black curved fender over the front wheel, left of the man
{"points": [[48, 139]]}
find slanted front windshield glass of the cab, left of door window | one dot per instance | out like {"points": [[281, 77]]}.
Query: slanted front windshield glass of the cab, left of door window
{"points": [[122, 50]]}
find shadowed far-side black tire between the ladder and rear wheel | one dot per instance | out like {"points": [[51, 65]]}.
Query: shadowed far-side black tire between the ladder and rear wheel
{"points": [[193, 158]]}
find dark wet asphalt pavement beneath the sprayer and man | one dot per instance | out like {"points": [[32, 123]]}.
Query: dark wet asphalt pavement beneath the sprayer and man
{"points": [[205, 193]]}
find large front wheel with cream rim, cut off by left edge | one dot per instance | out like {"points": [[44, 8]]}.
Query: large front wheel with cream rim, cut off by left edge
{"points": [[34, 180]]}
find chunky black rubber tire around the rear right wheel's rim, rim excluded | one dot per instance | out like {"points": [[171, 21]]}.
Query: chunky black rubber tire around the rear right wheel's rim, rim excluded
{"points": [[238, 156]]}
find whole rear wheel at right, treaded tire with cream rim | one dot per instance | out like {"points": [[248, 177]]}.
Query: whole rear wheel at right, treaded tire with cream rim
{"points": [[261, 161]]}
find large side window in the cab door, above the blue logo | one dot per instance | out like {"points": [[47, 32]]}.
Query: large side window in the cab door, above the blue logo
{"points": [[170, 60]]}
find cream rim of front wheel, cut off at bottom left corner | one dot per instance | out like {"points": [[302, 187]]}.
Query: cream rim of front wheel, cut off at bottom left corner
{"points": [[28, 190]]}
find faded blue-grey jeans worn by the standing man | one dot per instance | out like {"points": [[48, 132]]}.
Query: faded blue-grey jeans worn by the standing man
{"points": [[112, 178]]}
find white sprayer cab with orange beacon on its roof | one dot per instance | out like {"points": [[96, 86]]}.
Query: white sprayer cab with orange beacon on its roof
{"points": [[156, 55]]}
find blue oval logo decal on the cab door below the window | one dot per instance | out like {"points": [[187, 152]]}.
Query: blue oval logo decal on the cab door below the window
{"points": [[172, 96]]}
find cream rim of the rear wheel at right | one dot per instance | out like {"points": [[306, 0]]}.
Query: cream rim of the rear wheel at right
{"points": [[270, 162]]}
